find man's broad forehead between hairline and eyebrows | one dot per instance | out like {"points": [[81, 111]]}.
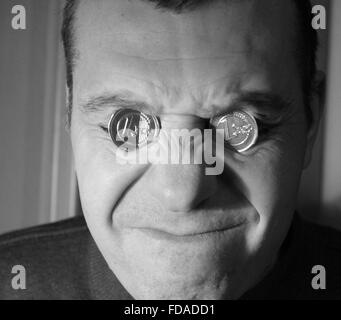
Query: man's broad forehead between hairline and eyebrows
{"points": [[227, 45]]}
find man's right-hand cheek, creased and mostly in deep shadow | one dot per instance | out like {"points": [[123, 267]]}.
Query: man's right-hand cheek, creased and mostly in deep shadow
{"points": [[271, 177]]}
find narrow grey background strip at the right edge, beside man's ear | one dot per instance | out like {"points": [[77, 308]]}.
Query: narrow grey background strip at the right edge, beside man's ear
{"points": [[331, 169]]}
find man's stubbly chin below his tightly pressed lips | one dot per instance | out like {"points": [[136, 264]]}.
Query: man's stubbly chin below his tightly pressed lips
{"points": [[192, 281]]}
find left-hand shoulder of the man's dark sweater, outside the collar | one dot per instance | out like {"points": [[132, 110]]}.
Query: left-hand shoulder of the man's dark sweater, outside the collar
{"points": [[52, 256]]}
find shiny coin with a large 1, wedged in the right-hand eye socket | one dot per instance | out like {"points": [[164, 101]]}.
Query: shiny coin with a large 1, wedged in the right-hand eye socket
{"points": [[240, 130]]}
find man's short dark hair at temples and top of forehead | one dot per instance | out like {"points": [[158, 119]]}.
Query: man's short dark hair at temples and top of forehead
{"points": [[307, 41]]}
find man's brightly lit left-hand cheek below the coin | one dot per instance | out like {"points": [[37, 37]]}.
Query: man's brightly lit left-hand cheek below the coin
{"points": [[101, 180]]}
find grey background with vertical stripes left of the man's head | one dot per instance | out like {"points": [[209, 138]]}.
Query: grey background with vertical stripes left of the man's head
{"points": [[37, 183]]}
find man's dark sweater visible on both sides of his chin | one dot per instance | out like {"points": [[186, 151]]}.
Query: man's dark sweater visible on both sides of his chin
{"points": [[63, 262]]}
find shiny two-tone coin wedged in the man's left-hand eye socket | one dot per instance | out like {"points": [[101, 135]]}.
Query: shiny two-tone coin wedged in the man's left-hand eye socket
{"points": [[131, 129]]}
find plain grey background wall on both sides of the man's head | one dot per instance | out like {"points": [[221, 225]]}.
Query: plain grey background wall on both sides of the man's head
{"points": [[37, 183]]}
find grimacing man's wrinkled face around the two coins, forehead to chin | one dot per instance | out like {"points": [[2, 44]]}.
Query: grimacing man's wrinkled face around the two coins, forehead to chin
{"points": [[171, 231]]}
